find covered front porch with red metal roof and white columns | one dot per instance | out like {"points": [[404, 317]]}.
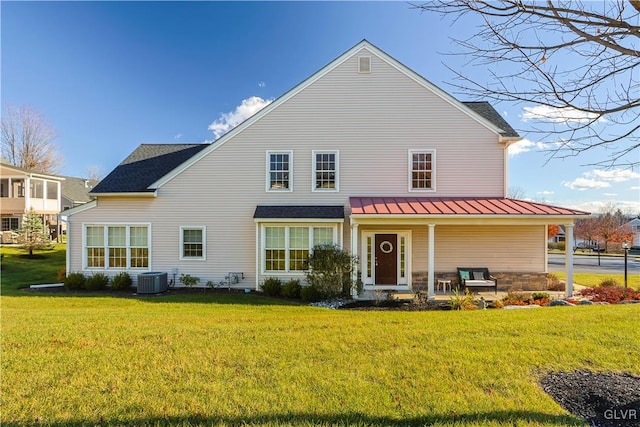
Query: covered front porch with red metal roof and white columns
{"points": [[405, 245]]}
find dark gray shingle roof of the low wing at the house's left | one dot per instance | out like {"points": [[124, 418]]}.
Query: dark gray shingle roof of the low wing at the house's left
{"points": [[147, 164]]}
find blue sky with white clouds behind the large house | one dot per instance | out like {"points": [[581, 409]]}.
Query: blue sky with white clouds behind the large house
{"points": [[112, 75]]}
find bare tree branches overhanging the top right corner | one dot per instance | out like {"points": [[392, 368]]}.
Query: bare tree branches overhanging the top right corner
{"points": [[578, 61]]}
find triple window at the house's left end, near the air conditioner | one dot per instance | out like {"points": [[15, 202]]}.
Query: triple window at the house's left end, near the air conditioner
{"points": [[118, 247]]}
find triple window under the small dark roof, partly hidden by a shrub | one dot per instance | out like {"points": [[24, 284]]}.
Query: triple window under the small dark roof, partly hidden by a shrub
{"points": [[287, 248]]}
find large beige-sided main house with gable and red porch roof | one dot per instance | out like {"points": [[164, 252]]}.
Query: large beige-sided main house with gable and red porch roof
{"points": [[365, 153]]}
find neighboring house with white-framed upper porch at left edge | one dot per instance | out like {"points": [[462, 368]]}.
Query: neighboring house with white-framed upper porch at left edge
{"points": [[23, 189]]}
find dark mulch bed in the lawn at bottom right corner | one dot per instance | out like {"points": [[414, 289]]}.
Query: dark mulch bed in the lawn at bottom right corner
{"points": [[601, 399]]}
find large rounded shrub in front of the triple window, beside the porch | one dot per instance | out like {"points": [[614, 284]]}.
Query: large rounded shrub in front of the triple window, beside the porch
{"points": [[330, 270]]}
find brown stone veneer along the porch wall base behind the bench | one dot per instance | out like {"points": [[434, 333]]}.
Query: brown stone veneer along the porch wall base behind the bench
{"points": [[506, 281]]}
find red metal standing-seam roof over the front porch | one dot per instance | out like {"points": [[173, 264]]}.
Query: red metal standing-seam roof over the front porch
{"points": [[453, 206]]}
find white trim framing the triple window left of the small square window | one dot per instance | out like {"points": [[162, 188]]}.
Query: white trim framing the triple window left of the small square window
{"points": [[106, 225]]}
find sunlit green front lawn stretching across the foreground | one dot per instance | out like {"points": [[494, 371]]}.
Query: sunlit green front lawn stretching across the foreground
{"points": [[233, 360]]}
